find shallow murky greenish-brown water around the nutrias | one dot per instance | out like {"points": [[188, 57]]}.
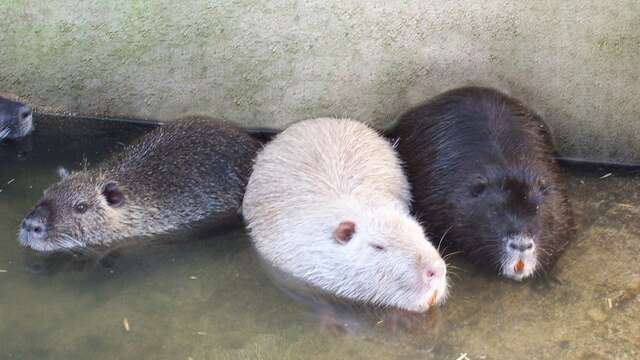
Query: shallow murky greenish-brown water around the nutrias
{"points": [[210, 299]]}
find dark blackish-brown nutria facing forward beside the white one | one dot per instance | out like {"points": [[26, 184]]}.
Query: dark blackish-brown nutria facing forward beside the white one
{"points": [[484, 179]]}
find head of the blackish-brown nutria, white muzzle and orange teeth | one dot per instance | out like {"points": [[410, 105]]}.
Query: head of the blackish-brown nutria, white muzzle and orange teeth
{"points": [[504, 220]]}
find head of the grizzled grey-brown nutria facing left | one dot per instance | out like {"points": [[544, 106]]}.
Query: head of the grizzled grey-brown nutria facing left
{"points": [[82, 210]]}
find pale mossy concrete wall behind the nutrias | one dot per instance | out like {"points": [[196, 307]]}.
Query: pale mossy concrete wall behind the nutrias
{"points": [[271, 63]]}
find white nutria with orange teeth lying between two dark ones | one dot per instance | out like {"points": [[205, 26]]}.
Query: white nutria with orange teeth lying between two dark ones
{"points": [[328, 203]]}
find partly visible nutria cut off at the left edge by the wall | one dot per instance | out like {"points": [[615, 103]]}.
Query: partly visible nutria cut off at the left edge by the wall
{"points": [[16, 119]]}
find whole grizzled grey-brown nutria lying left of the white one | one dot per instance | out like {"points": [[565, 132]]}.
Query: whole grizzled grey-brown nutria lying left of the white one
{"points": [[190, 171]]}
